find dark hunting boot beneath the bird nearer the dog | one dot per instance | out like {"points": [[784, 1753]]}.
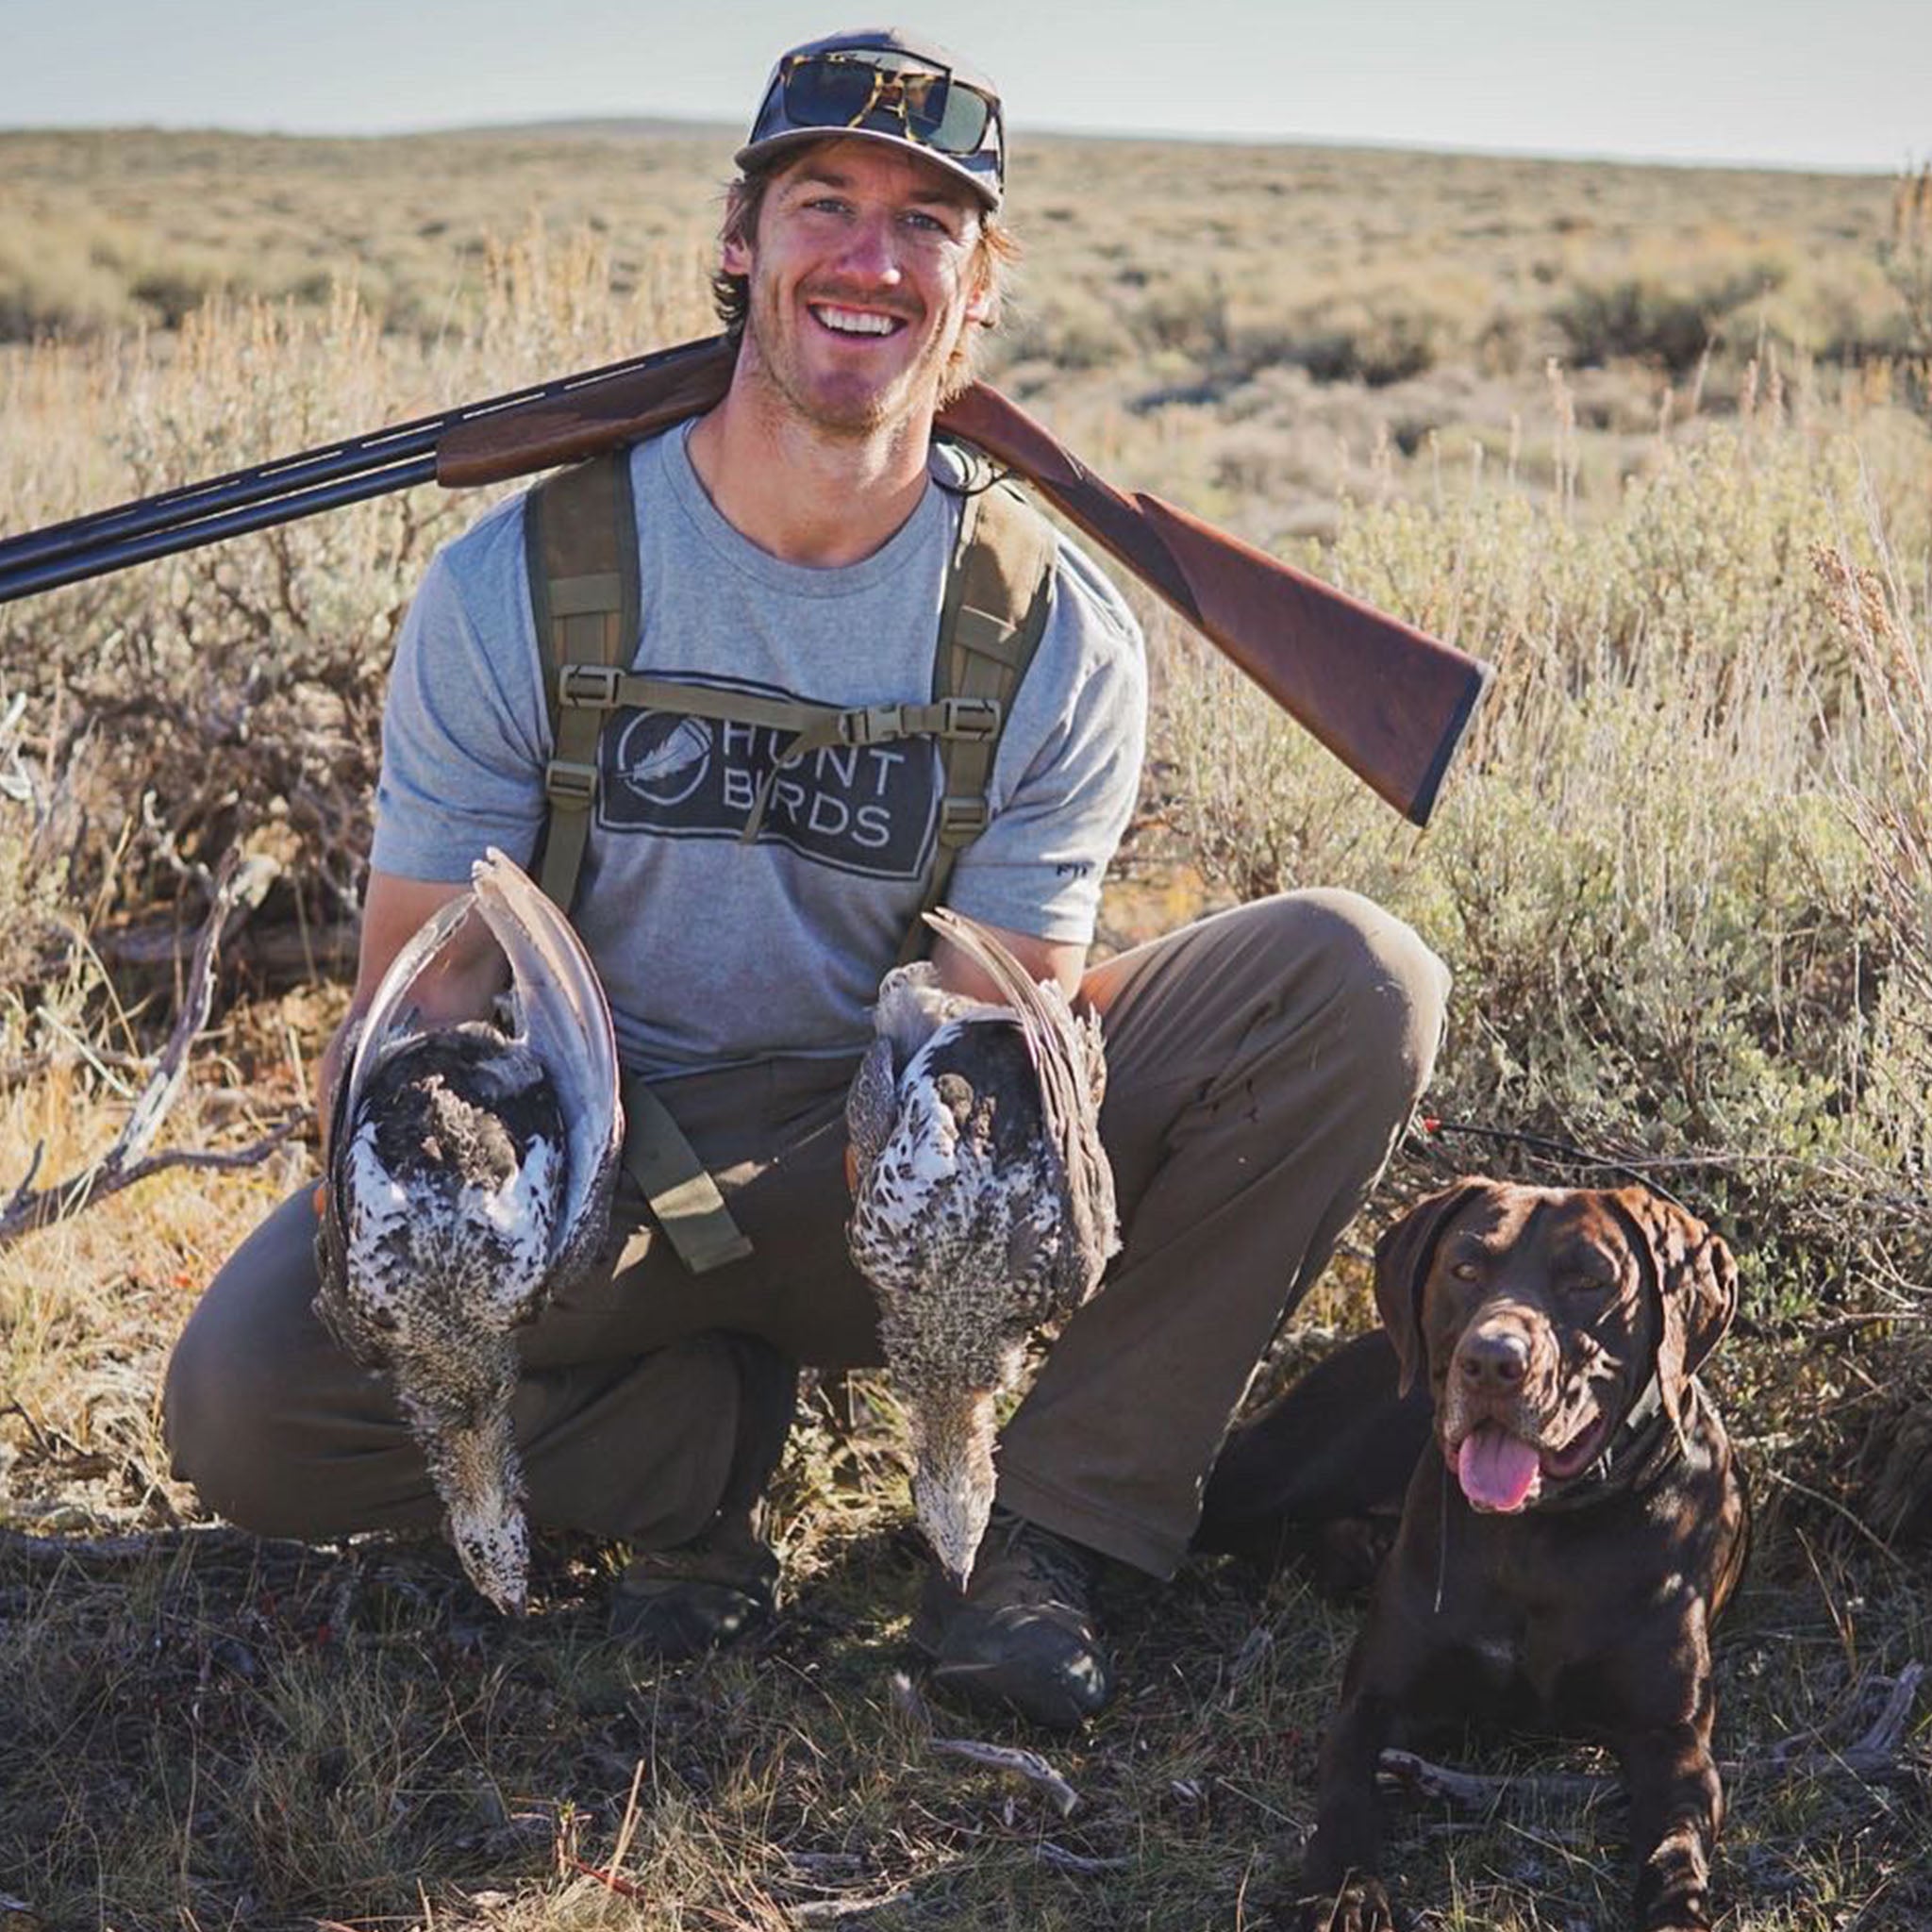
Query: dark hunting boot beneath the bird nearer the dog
{"points": [[1023, 1637]]}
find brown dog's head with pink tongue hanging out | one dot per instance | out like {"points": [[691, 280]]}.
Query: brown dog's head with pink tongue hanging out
{"points": [[1545, 1317]]}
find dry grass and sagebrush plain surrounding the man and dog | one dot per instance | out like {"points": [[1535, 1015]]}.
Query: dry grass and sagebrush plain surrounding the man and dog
{"points": [[1684, 880]]}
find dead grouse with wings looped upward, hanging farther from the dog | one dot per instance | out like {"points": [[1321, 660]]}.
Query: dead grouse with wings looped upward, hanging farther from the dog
{"points": [[470, 1174]]}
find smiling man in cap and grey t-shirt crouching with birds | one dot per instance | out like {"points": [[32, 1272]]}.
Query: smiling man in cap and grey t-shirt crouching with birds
{"points": [[795, 546]]}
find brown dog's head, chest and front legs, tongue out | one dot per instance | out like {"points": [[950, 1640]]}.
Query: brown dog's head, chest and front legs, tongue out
{"points": [[1570, 1533]]}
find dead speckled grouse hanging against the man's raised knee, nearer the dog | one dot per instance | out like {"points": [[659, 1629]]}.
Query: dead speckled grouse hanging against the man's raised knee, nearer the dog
{"points": [[982, 1207]]}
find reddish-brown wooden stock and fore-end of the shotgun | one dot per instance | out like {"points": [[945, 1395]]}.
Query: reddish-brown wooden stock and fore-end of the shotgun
{"points": [[1386, 698]]}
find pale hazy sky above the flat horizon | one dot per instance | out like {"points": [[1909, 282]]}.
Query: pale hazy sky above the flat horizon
{"points": [[1825, 84]]}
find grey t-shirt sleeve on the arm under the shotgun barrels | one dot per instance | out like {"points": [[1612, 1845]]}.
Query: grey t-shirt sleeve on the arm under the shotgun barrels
{"points": [[465, 729]]}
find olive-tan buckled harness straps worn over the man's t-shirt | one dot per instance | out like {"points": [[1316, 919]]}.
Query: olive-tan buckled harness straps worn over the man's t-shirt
{"points": [[581, 546]]}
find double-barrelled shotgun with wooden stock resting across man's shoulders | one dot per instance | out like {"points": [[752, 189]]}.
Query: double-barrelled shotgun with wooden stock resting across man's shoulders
{"points": [[1386, 698]]}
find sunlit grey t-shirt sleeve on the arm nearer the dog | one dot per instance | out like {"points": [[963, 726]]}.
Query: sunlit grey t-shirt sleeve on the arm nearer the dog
{"points": [[1067, 772]]}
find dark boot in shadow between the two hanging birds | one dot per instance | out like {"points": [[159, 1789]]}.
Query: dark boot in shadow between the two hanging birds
{"points": [[724, 1583]]}
